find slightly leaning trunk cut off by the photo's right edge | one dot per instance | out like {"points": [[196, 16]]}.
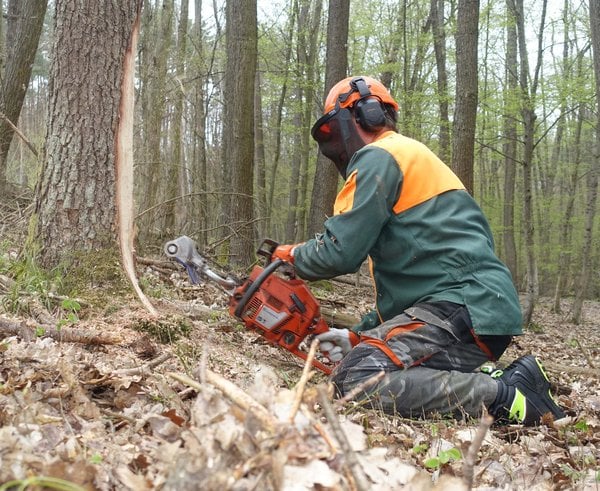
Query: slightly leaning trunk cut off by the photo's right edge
{"points": [[592, 179]]}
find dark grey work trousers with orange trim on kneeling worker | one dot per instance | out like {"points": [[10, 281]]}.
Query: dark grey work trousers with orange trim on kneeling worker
{"points": [[429, 361]]}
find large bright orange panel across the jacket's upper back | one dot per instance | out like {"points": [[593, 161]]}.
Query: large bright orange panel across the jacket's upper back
{"points": [[424, 174]]}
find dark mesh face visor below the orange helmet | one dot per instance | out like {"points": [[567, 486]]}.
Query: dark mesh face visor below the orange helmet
{"points": [[335, 133]]}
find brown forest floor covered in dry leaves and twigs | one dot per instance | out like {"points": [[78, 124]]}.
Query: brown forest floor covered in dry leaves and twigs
{"points": [[105, 396]]}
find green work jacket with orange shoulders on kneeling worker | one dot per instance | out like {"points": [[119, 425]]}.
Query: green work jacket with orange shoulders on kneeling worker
{"points": [[426, 238]]}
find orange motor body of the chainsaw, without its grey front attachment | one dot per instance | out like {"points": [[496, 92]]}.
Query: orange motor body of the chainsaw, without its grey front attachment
{"points": [[283, 311]]}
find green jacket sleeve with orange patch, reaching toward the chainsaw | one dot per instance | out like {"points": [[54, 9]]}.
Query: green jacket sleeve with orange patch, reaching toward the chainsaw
{"points": [[362, 208]]}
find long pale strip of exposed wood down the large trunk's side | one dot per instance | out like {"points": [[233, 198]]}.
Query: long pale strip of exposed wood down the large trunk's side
{"points": [[124, 168]]}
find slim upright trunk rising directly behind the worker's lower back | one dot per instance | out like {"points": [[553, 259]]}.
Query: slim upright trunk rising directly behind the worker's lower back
{"points": [[510, 146]]}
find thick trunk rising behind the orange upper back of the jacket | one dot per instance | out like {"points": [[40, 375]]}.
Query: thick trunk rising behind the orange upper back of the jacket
{"points": [[465, 112]]}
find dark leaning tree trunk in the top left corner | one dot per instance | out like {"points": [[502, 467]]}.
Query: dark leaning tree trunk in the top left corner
{"points": [[23, 30]]}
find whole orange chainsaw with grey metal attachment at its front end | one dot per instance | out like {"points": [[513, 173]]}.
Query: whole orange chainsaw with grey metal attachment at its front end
{"points": [[282, 310]]}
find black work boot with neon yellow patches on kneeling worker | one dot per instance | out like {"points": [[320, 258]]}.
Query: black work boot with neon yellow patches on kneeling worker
{"points": [[523, 393]]}
